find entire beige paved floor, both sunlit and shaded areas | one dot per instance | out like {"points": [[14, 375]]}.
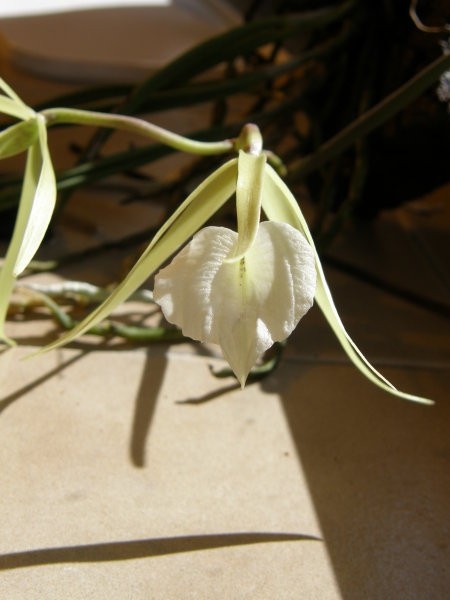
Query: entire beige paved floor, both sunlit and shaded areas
{"points": [[136, 474]]}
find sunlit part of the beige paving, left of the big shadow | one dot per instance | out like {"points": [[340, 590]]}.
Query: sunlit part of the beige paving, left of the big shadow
{"points": [[209, 502]]}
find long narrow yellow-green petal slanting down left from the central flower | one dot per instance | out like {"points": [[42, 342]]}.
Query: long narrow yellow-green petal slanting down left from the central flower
{"points": [[198, 207]]}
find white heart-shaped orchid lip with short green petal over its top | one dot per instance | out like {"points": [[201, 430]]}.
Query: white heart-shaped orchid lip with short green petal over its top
{"points": [[242, 291]]}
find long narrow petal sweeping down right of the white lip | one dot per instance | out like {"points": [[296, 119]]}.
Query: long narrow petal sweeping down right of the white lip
{"points": [[280, 205]]}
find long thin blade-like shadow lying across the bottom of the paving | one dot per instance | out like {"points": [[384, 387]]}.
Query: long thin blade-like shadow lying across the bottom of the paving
{"points": [[132, 549]]}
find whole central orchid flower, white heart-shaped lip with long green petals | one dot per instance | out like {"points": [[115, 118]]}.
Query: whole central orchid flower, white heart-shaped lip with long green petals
{"points": [[242, 290]]}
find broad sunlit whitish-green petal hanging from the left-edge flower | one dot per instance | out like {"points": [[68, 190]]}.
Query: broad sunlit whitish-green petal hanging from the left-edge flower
{"points": [[41, 207]]}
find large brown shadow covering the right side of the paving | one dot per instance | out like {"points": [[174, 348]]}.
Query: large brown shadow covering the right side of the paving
{"points": [[378, 473]]}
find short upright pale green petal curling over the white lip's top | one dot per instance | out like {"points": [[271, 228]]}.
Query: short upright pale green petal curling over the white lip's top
{"points": [[248, 199]]}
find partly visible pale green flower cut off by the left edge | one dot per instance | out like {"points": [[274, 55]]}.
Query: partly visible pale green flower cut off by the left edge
{"points": [[38, 195]]}
